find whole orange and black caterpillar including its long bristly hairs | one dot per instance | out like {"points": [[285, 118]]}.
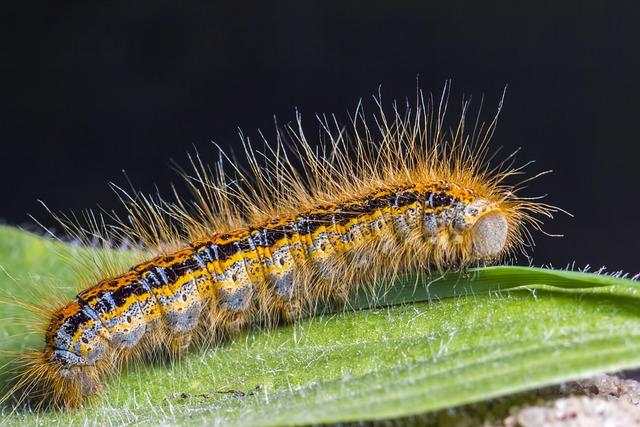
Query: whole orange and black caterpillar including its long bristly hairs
{"points": [[302, 226]]}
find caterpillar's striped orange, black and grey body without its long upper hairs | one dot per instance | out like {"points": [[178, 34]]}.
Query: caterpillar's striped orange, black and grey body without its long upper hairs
{"points": [[263, 273]]}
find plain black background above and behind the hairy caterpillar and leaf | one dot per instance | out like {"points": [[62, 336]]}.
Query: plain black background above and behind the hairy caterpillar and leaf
{"points": [[91, 88]]}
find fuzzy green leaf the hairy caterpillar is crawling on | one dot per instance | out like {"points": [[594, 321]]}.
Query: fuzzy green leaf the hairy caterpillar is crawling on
{"points": [[463, 338]]}
